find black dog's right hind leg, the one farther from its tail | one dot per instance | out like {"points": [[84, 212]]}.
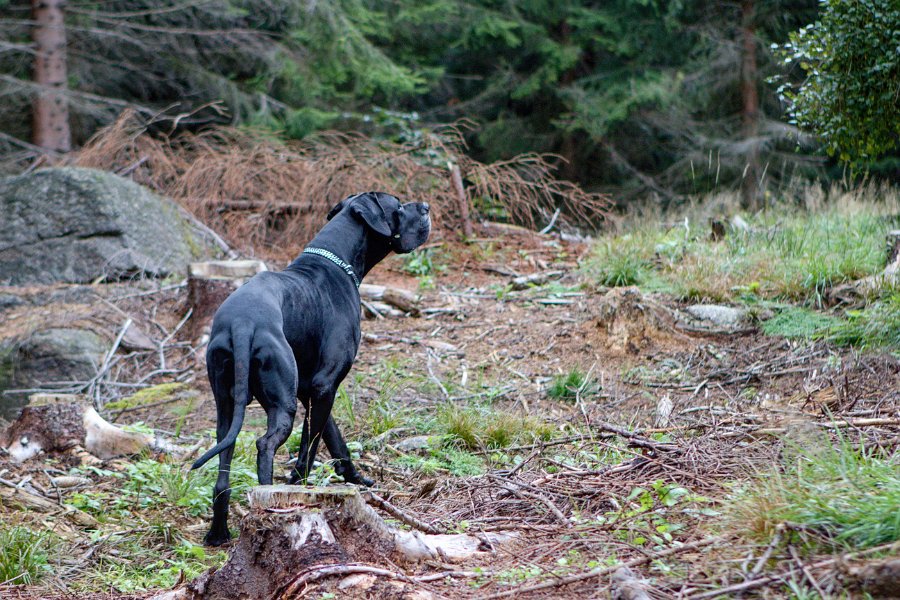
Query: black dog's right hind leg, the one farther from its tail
{"points": [[278, 380]]}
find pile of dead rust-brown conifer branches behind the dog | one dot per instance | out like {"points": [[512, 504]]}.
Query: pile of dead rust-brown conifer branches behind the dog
{"points": [[271, 197]]}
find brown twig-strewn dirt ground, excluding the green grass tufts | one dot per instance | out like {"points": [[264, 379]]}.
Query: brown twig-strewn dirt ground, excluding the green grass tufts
{"points": [[678, 409]]}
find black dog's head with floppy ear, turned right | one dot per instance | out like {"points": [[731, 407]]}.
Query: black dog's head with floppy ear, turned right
{"points": [[405, 226]]}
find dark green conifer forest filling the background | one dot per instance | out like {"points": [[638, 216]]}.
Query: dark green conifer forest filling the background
{"points": [[638, 98]]}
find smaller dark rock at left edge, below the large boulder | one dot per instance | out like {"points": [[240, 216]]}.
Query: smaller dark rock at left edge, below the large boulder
{"points": [[52, 355]]}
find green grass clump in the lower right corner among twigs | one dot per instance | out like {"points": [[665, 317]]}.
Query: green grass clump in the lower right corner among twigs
{"points": [[831, 495]]}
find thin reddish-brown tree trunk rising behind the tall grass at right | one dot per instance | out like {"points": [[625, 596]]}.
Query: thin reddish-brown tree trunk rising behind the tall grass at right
{"points": [[750, 192]]}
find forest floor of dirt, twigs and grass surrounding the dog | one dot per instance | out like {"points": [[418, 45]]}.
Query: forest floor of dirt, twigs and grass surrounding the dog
{"points": [[594, 424]]}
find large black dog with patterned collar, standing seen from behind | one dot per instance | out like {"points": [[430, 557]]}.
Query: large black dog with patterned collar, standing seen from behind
{"points": [[294, 334]]}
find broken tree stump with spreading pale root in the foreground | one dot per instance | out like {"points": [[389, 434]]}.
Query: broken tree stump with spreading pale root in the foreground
{"points": [[291, 530]]}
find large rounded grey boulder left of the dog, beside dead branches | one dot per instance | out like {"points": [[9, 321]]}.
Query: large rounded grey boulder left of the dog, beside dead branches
{"points": [[75, 225]]}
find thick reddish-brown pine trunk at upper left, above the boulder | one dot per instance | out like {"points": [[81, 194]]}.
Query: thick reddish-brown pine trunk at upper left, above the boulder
{"points": [[50, 128]]}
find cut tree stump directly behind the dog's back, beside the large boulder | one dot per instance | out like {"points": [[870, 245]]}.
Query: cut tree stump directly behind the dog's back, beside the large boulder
{"points": [[209, 283]]}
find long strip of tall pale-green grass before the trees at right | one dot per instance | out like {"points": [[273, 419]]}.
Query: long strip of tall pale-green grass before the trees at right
{"points": [[785, 254]]}
